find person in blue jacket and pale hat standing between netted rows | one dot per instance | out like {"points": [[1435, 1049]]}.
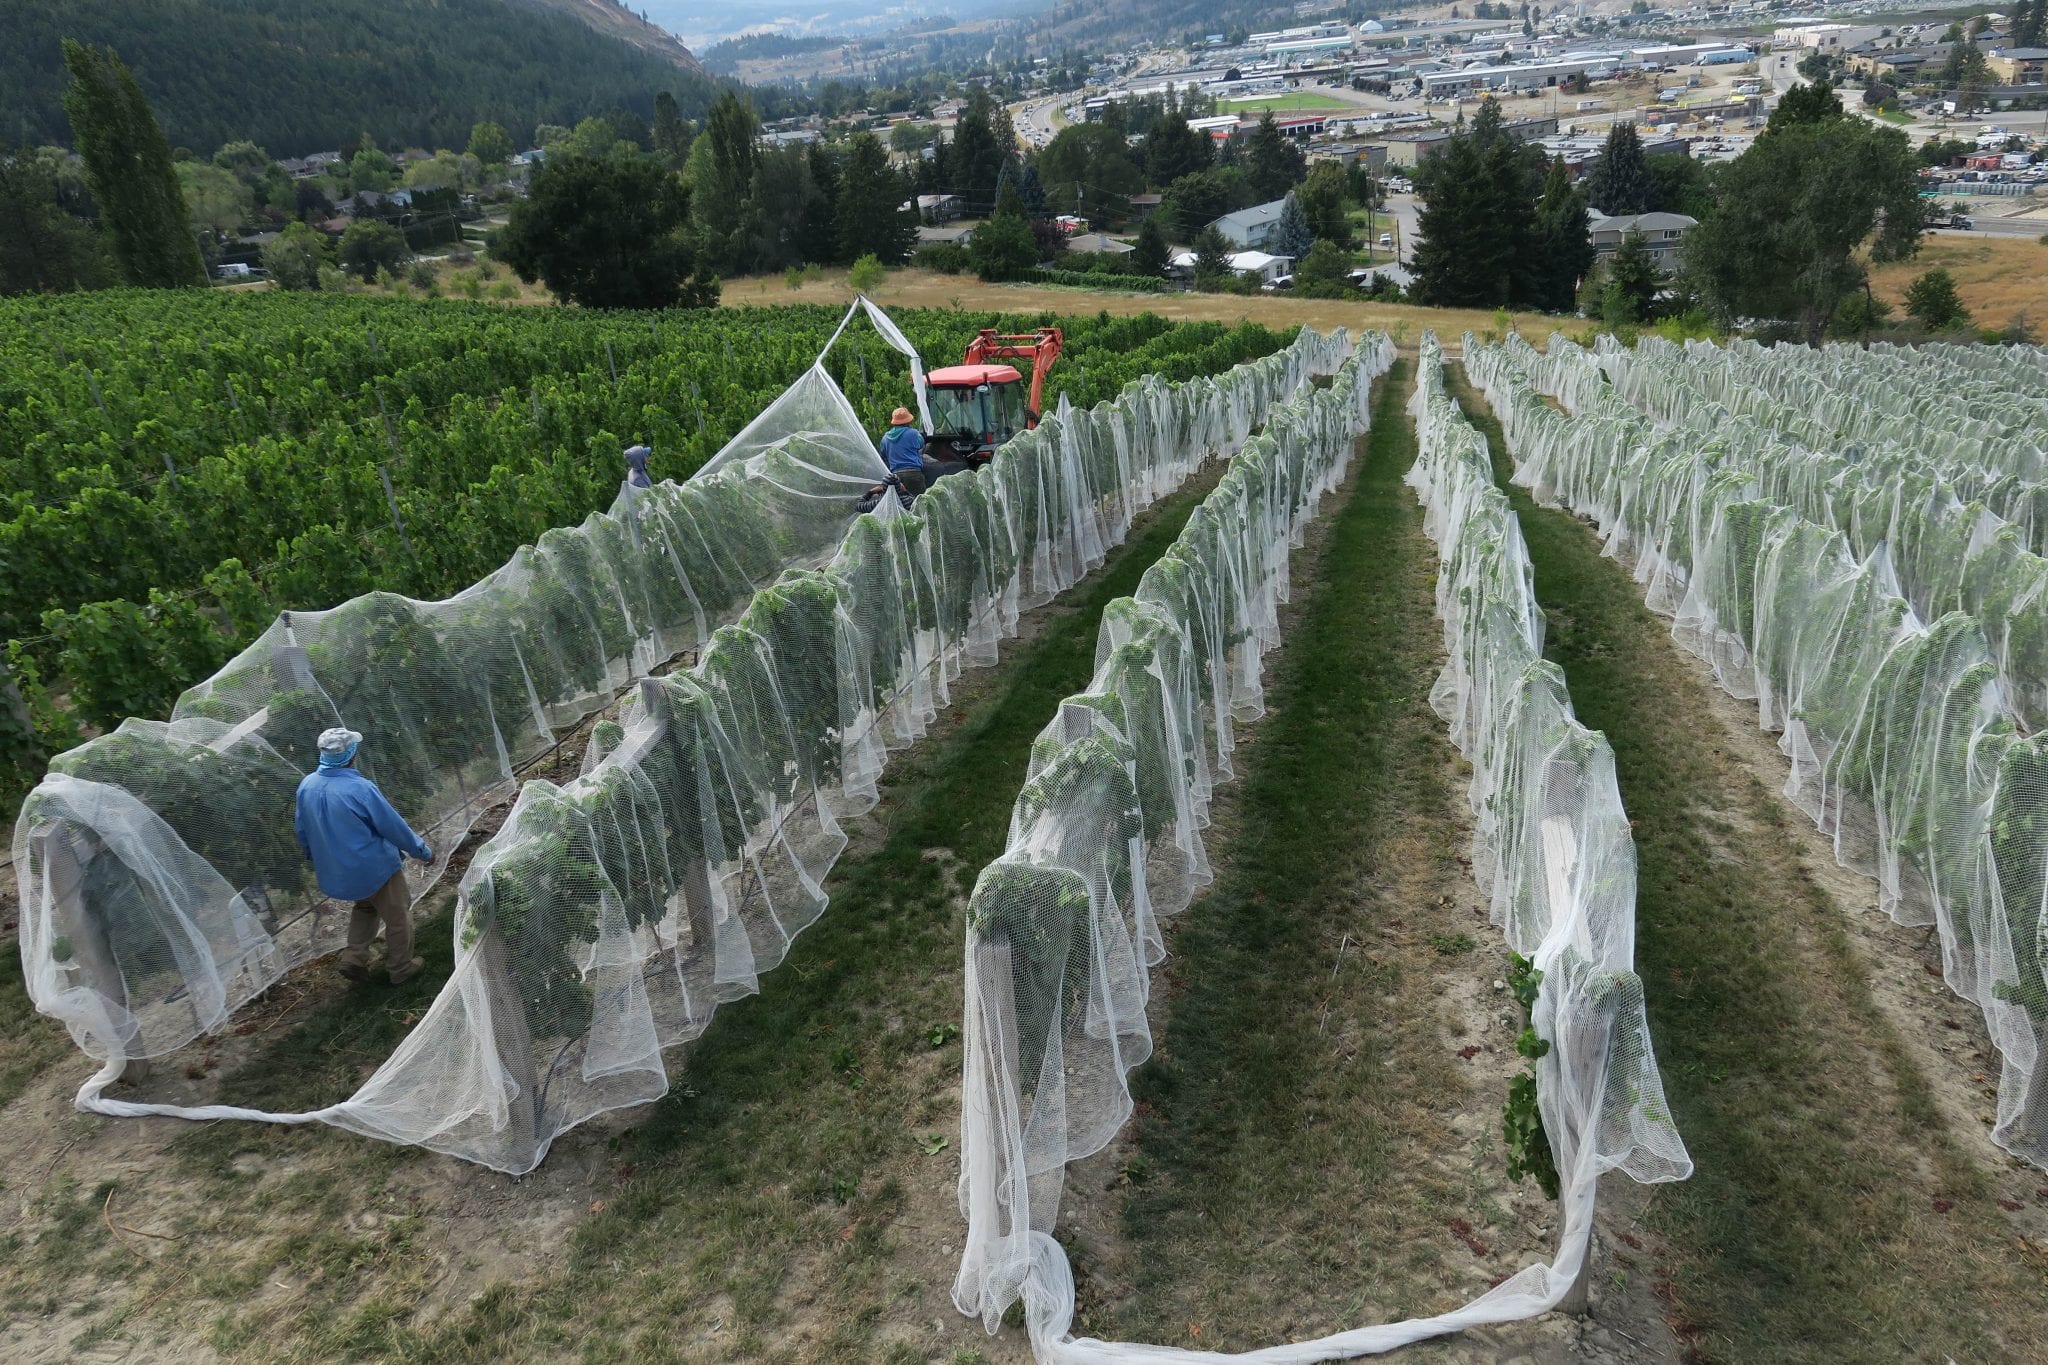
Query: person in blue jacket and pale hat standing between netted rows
{"points": [[357, 844]]}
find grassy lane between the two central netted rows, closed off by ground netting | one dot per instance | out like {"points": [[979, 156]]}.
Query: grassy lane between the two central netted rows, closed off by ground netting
{"points": [[1302, 1088]]}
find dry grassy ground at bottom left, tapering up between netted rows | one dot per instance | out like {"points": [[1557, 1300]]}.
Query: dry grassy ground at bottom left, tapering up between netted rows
{"points": [[792, 1200]]}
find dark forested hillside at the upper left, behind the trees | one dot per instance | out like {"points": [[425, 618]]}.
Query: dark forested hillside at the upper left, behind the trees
{"points": [[314, 77]]}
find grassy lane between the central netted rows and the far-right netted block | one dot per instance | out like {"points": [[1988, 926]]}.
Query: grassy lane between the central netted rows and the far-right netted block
{"points": [[1832, 1217]]}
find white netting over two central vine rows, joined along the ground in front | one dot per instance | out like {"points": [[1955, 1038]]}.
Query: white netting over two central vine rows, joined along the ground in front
{"points": [[1107, 840]]}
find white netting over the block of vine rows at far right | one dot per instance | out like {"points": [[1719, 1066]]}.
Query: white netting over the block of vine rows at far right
{"points": [[1889, 623]]}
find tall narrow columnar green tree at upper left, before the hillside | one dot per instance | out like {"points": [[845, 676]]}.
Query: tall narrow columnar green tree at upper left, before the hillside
{"points": [[130, 171]]}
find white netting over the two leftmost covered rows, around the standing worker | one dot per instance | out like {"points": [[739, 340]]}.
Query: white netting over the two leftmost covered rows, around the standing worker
{"points": [[613, 914]]}
